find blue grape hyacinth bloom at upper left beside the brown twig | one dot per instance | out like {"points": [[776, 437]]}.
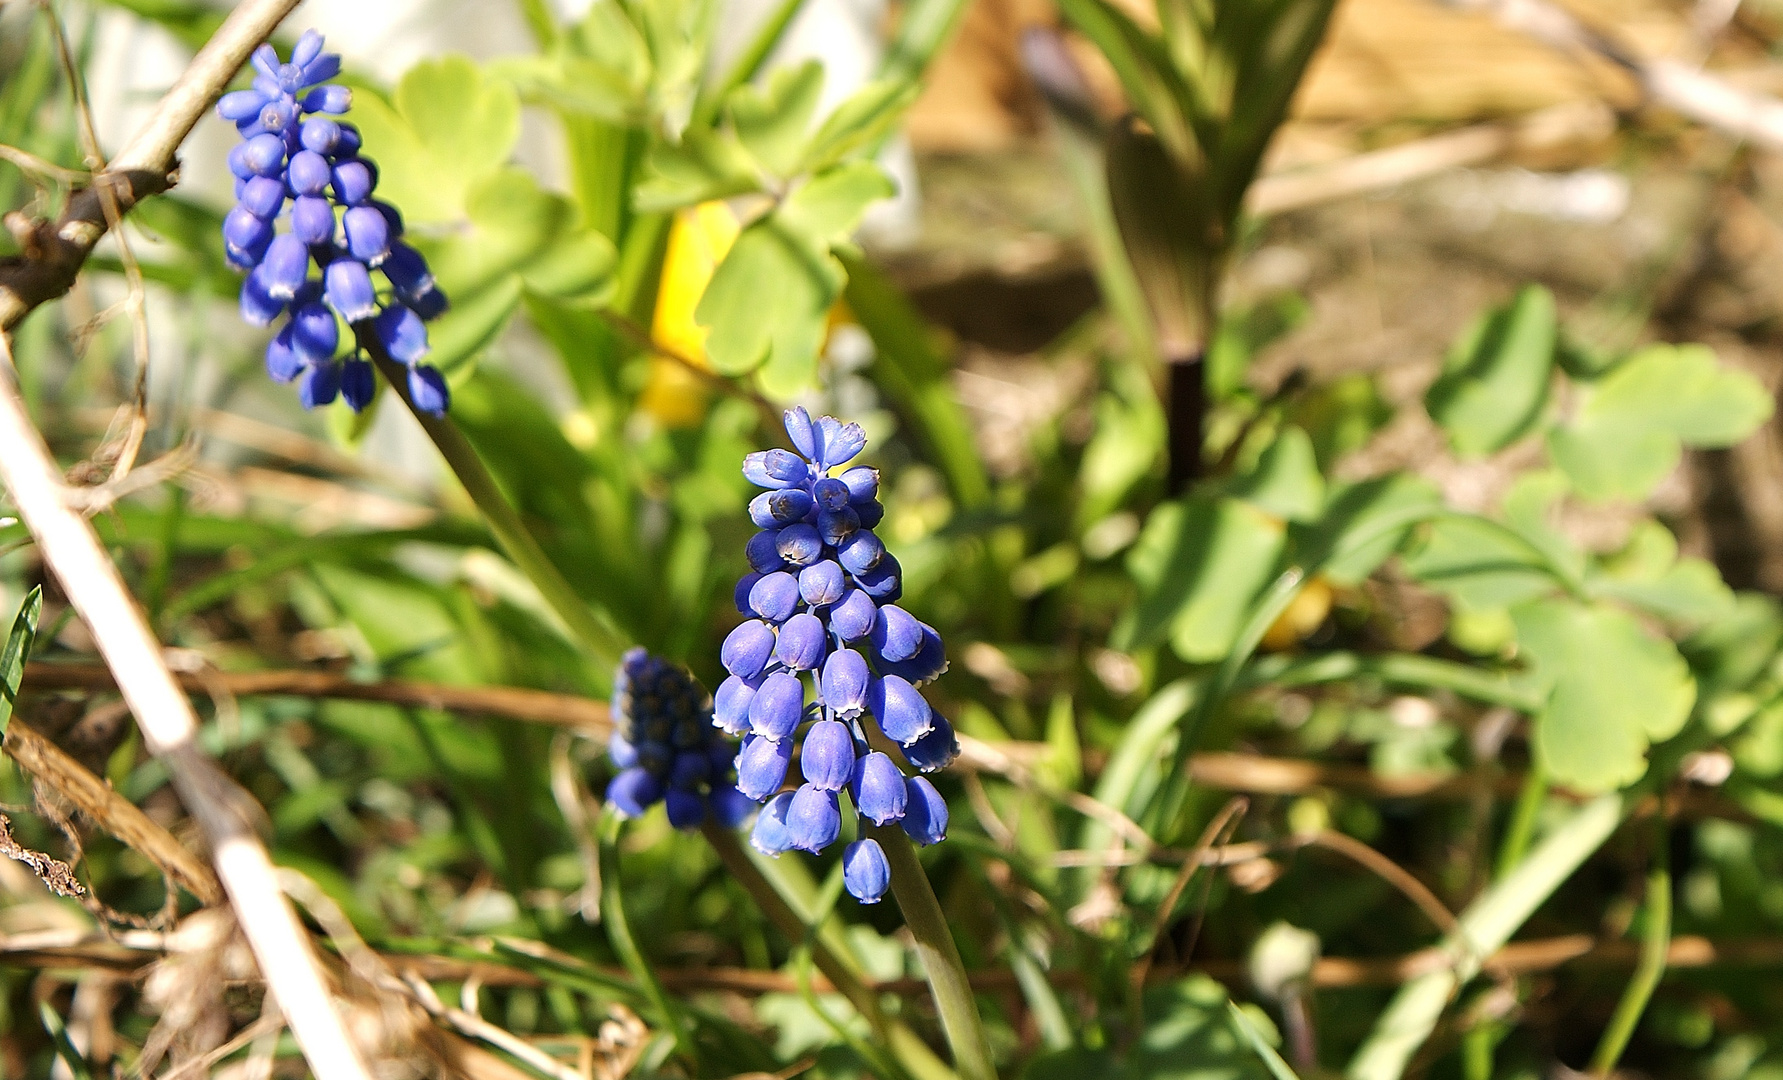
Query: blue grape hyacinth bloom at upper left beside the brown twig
{"points": [[300, 167]]}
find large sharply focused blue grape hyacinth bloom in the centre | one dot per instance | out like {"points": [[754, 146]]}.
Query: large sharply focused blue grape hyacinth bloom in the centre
{"points": [[823, 601]]}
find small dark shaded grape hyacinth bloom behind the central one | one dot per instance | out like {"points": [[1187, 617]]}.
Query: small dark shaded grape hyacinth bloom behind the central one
{"points": [[668, 749]]}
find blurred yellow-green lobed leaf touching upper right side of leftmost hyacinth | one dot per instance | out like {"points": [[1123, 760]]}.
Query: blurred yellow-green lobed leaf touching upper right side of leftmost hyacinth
{"points": [[445, 129]]}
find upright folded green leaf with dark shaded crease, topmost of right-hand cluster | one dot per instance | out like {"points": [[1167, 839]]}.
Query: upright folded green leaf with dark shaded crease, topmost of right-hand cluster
{"points": [[1495, 380]]}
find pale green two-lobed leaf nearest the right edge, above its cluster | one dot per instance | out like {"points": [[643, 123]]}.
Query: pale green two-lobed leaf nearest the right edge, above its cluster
{"points": [[1629, 432]]}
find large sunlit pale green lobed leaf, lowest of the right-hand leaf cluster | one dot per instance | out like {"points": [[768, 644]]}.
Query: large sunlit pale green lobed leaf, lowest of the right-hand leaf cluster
{"points": [[1613, 689]]}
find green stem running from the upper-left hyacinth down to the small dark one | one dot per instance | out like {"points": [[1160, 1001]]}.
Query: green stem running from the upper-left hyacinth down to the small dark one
{"points": [[595, 632]]}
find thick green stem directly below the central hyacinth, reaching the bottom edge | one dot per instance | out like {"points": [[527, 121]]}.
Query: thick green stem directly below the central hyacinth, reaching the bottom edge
{"points": [[939, 954]]}
